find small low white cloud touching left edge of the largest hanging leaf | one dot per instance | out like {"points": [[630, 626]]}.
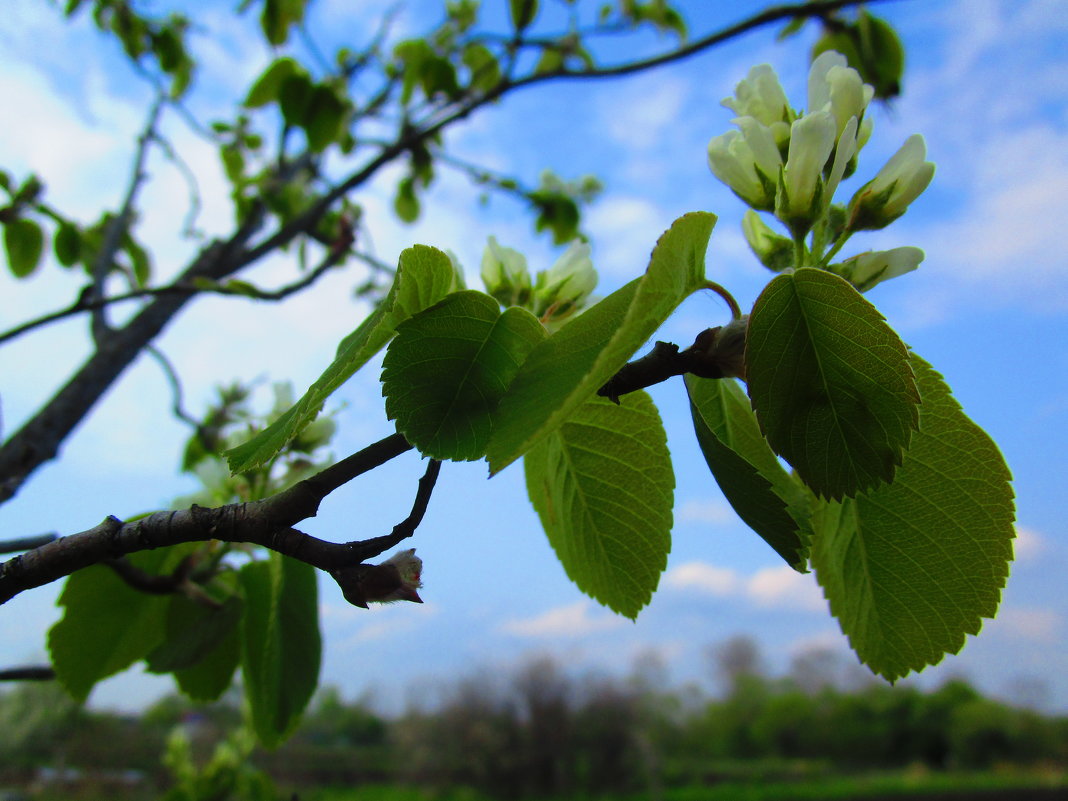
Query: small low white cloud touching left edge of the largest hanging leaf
{"points": [[780, 588]]}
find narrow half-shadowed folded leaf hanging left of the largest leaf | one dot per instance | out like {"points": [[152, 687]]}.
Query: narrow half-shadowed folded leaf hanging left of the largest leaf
{"points": [[757, 486]]}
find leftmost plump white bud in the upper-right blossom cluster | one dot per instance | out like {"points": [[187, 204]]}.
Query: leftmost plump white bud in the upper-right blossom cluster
{"points": [[748, 162]]}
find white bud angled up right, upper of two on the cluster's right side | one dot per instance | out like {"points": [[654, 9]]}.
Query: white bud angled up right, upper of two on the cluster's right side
{"points": [[888, 196]]}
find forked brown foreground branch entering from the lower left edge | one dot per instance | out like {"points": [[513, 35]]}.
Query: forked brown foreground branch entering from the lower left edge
{"points": [[268, 523]]}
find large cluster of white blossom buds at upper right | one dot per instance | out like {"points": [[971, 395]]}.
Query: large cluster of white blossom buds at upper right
{"points": [[791, 164]]}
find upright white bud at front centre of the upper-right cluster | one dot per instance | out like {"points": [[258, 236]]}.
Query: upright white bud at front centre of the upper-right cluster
{"points": [[812, 142]]}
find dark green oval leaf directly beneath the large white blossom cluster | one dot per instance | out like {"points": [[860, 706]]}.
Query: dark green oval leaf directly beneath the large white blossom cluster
{"points": [[830, 382]]}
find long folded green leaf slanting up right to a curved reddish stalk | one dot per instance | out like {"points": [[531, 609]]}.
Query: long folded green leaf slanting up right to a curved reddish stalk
{"points": [[567, 370]]}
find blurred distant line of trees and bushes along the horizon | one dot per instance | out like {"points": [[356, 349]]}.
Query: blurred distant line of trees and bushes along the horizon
{"points": [[542, 731]]}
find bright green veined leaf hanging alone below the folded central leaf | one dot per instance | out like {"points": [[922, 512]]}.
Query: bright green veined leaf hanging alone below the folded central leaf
{"points": [[603, 486]]}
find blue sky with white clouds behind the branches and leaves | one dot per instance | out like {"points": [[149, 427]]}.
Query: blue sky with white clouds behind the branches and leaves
{"points": [[987, 86]]}
